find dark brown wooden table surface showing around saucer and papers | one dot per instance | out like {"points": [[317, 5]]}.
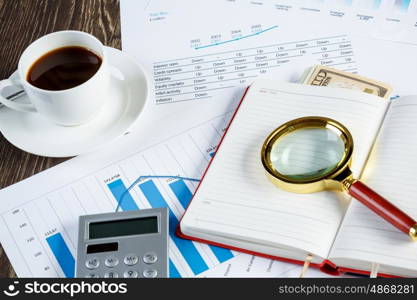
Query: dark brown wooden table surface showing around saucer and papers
{"points": [[22, 22]]}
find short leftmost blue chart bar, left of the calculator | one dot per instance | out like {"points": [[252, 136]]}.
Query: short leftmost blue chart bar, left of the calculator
{"points": [[62, 254]]}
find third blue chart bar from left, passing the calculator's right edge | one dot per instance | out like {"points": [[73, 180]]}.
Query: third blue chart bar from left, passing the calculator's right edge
{"points": [[187, 248]]}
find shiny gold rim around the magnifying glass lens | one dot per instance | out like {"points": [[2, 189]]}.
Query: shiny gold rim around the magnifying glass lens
{"points": [[302, 123]]}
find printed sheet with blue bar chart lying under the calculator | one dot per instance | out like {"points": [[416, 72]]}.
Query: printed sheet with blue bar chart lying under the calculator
{"points": [[45, 229]]}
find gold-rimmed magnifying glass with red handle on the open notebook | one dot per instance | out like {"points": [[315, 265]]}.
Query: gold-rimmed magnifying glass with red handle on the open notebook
{"points": [[313, 154]]}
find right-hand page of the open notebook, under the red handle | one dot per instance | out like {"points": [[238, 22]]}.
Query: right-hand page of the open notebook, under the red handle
{"points": [[392, 172]]}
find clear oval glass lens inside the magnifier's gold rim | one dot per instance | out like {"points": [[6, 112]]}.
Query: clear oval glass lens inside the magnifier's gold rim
{"points": [[307, 153]]}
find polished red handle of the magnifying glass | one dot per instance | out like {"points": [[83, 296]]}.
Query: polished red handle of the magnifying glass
{"points": [[383, 208]]}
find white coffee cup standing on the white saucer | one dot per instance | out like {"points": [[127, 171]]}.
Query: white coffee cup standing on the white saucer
{"points": [[68, 107]]}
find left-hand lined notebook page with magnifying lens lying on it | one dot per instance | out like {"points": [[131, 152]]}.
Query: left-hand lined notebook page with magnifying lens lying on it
{"points": [[236, 199]]}
